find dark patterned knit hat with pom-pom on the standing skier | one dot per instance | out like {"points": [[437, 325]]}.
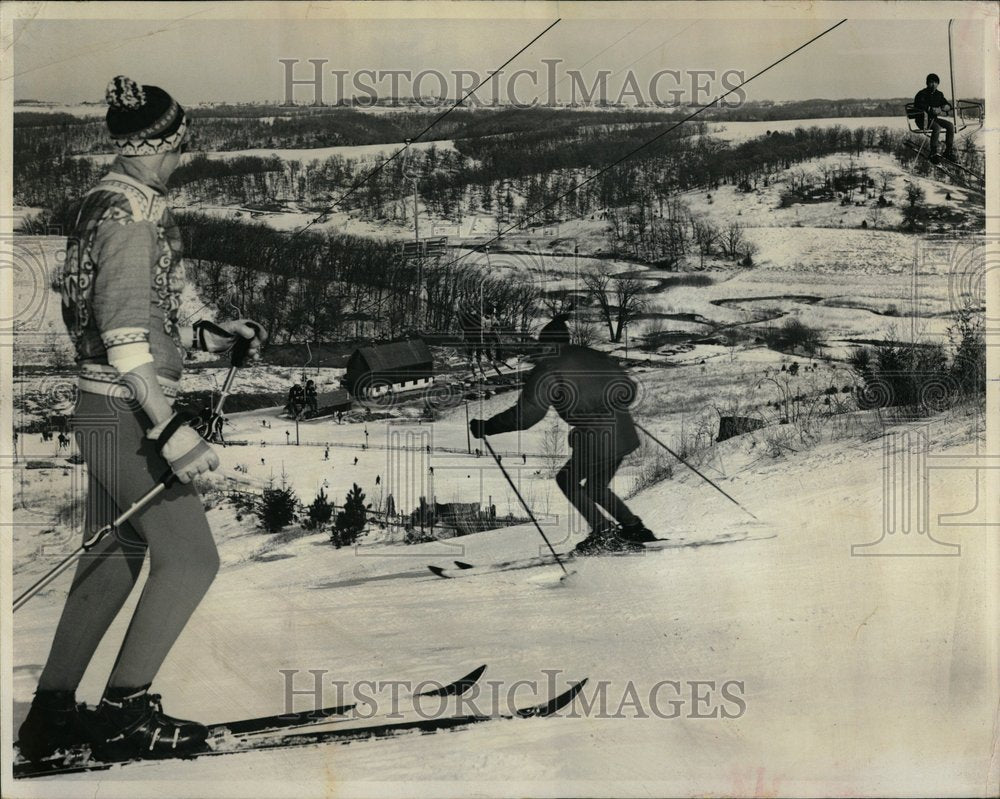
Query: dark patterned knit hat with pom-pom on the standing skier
{"points": [[143, 120]]}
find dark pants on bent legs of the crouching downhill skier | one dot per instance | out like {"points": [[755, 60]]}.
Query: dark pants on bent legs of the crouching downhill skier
{"points": [[586, 478]]}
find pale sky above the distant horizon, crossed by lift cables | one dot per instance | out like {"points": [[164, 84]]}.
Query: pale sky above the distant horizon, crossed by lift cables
{"points": [[200, 60]]}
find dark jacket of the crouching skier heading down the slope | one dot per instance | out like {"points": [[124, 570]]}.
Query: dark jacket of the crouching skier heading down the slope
{"points": [[589, 391]]}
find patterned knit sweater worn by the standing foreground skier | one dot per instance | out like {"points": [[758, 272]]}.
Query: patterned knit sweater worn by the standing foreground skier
{"points": [[122, 278]]}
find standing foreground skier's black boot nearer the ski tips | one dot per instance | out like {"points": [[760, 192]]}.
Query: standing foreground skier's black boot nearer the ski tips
{"points": [[130, 723]]}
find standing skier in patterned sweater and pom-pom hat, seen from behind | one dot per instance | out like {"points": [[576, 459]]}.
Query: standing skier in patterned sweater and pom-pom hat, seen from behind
{"points": [[120, 287]]}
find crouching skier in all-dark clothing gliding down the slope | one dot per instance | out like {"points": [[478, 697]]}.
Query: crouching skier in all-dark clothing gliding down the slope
{"points": [[590, 393]]}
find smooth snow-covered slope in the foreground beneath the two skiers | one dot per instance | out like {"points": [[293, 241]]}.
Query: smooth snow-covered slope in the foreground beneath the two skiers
{"points": [[836, 655]]}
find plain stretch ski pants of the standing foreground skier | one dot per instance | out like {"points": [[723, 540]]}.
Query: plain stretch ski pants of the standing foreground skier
{"points": [[122, 465]]}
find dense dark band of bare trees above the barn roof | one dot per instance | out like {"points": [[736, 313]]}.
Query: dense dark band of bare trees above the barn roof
{"points": [[321, 287]]}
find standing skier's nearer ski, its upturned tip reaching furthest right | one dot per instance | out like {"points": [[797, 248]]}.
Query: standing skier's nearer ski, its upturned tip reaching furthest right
{"points": [[332, 732]]}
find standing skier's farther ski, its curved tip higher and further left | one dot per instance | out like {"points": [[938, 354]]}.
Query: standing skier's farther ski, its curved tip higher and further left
{"points": [[78, 760]]}
